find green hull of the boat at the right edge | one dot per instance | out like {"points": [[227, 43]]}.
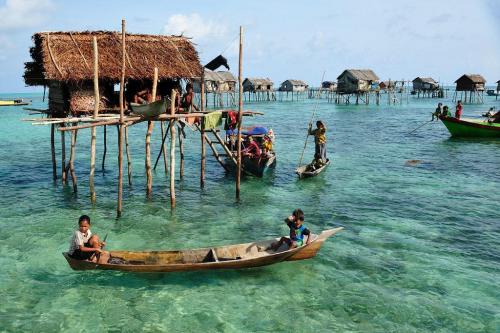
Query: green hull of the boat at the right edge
{"points": [[471, 128]]}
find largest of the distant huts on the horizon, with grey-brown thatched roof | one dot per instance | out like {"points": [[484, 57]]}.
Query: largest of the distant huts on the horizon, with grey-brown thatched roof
{"points": [[356, 80]]}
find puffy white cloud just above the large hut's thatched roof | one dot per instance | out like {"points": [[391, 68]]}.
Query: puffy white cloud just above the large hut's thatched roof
{"points": [[194, 26]]}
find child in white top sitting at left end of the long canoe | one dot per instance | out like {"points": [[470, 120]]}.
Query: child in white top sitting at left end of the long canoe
{"points": [[84, 244]]}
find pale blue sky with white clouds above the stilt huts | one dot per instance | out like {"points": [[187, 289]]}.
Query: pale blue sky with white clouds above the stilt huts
{"points": [[283, 39]]}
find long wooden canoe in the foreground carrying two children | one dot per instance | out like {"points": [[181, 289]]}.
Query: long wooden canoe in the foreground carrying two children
{"points": [[236, 256]]}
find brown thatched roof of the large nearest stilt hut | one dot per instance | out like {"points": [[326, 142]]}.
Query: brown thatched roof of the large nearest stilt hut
{"points": [[68, 56]]}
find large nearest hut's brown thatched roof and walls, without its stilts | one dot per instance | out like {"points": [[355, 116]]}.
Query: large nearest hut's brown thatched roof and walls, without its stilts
{"points": [[63, 61]]}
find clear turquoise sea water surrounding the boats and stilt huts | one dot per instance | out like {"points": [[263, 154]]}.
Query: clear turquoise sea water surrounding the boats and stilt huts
{"points": [[420, 251]]}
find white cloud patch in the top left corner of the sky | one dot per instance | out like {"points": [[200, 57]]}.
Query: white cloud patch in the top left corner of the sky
{"points": [[18, 14]]}
